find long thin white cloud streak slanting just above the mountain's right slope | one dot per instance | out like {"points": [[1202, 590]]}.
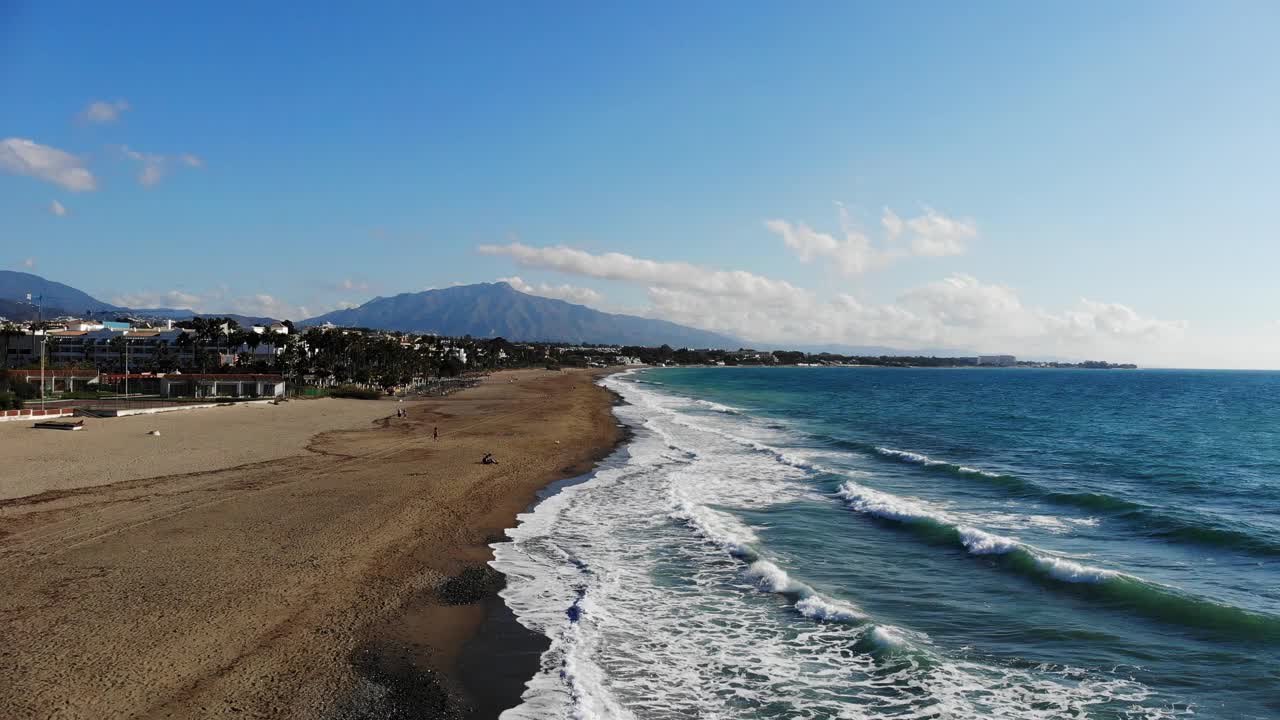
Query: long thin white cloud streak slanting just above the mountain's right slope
{"points": [[619, 267]]}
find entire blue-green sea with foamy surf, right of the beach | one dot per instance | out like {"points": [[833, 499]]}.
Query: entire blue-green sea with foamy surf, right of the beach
{"points": [[911, 544]]}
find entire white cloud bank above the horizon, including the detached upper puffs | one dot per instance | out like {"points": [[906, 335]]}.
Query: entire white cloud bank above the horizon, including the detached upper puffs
{"points": [[958, 311]]}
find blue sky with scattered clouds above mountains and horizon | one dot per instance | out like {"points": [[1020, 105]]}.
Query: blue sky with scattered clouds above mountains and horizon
{"points": [[1077, 180]]}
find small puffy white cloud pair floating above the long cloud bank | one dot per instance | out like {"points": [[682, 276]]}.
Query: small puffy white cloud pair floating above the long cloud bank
{"points": [[931, 235]]}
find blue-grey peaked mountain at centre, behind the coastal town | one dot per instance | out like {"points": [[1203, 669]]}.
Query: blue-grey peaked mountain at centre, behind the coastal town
{"points": [[499, 309]]}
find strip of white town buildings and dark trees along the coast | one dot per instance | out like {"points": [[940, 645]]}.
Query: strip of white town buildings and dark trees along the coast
{"points": [[84, 356]]}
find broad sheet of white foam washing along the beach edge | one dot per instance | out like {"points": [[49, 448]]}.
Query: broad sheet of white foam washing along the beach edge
{"points": [[666, 627]]}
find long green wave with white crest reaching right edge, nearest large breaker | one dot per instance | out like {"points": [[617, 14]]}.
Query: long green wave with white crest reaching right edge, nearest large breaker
{"points": [[1149, 599]]}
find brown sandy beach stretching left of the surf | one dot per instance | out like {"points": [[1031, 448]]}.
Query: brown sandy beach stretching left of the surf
{"points": [[317, 559]]}
